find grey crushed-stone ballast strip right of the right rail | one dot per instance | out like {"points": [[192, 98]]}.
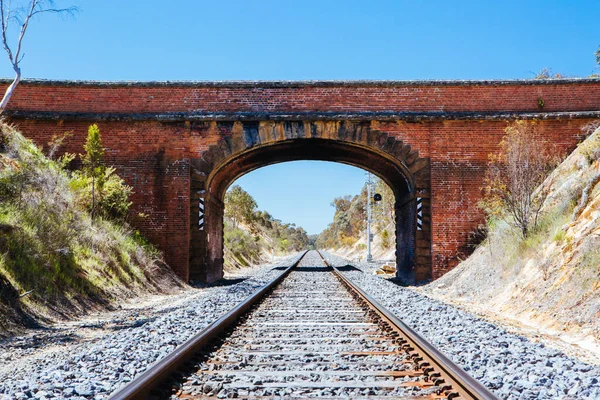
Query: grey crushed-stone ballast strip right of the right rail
{"points": [[510, 365]]}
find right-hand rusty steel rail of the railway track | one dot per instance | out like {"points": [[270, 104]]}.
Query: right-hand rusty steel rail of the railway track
{"points": [[461, 382]]}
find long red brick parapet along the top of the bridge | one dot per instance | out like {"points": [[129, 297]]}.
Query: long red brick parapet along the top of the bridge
{"points": [[322, 97]]}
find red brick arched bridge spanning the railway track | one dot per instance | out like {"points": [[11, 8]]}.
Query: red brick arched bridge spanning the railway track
{"points": [[181, 144]]}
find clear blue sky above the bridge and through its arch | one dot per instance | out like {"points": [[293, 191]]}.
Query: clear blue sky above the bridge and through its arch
{"points": [[271, 40]]}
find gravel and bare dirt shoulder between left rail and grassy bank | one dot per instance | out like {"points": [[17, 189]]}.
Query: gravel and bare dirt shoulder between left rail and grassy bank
{"points": [[93, 356]]}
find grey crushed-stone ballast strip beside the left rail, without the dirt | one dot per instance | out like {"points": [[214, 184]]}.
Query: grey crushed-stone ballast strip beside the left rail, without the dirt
{"points": [[95, 369]]}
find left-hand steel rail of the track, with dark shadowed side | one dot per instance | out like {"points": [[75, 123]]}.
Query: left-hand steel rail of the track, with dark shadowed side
{"points": [[155, 376]]}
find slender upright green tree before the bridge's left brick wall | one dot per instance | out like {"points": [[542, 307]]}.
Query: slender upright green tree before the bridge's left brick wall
{"points": [[93, 163]]}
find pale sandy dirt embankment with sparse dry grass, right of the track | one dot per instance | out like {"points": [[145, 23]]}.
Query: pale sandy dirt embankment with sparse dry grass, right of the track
{"points": [[548, 283]]}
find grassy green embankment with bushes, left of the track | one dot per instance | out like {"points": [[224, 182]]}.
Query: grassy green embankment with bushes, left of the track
{"points": [[57, 261]]}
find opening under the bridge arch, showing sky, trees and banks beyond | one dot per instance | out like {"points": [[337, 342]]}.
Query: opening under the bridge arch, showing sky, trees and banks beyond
{"points": [[291, 206]]}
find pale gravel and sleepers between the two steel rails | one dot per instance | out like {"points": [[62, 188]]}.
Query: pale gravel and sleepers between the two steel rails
{"points": [[296, 343]]}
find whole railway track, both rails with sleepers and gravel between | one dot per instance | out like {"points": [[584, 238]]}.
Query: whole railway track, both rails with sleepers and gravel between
{"points": [[310, 332]]}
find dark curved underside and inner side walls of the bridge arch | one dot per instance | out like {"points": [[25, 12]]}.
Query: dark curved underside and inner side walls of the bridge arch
{"points": [[206, 244]]}
